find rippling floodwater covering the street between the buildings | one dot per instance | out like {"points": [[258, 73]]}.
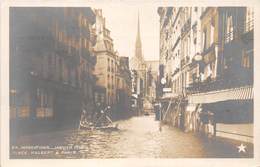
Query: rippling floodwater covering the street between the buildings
{"points": [[138, 137]]}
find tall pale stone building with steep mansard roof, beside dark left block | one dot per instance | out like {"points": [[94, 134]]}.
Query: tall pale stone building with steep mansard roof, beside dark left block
{"points": [[106, 66]]}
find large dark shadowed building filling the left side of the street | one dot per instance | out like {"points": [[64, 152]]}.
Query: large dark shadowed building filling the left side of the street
{"points": [[51, 64]]}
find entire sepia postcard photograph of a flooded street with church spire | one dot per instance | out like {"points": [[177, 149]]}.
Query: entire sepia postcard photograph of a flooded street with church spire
{"points": [[150, 82]]}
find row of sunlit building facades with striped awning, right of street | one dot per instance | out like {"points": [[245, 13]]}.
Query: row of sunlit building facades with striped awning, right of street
{"points": [[215, 66]]}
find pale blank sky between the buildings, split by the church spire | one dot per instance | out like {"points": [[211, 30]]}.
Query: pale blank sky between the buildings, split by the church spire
{"points": [[122, 22]]}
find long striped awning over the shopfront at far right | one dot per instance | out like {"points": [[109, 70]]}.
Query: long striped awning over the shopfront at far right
{"points": [[242, 93]]}
